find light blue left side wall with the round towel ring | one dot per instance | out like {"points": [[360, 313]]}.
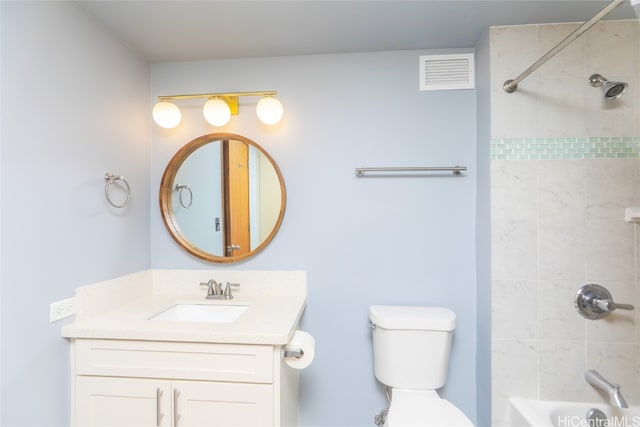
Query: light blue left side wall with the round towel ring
{"points": [[75, 105]]}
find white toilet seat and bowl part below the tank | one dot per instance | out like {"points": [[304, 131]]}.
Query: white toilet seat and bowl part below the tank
{"points": [[423, 408]]}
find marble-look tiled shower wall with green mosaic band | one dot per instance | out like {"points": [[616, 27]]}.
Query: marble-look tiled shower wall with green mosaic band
{"points": [[564, 166]]}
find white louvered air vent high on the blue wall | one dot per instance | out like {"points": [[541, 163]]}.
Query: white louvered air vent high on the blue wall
{"points": [[447, 72]]}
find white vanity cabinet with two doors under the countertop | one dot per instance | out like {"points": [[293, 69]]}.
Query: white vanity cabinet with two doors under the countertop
{"points": [[179, 384]]}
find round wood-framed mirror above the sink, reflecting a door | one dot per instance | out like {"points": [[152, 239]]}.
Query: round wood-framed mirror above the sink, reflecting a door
{"points": [[222, 197]]}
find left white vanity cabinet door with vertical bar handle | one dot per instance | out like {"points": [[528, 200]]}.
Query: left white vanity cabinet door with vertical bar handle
{"points": [[122, 402]]}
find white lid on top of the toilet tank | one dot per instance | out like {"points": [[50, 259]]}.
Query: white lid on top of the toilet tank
{"points": [[412, 317]]}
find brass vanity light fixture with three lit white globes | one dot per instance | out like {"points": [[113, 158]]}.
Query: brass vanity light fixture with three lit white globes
{"points": [[219, 108]]}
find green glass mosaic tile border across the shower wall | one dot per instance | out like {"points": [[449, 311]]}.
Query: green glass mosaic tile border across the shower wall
{"points": [[565, 148]]}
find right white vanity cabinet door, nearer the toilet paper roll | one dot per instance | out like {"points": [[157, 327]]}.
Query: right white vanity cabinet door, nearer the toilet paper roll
{"points": [[211, 404]]}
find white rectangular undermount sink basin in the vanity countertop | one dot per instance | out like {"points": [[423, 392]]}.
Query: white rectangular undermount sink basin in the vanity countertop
{"points": [[201, 313]]}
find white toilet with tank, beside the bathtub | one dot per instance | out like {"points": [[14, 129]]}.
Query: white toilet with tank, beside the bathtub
{"points": [[411, 348]]}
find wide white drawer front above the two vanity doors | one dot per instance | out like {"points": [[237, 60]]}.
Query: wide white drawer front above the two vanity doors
{"points": [[173, 360]]}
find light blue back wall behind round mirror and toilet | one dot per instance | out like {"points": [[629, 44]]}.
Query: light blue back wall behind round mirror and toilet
{"points": [[363, 241]]}
